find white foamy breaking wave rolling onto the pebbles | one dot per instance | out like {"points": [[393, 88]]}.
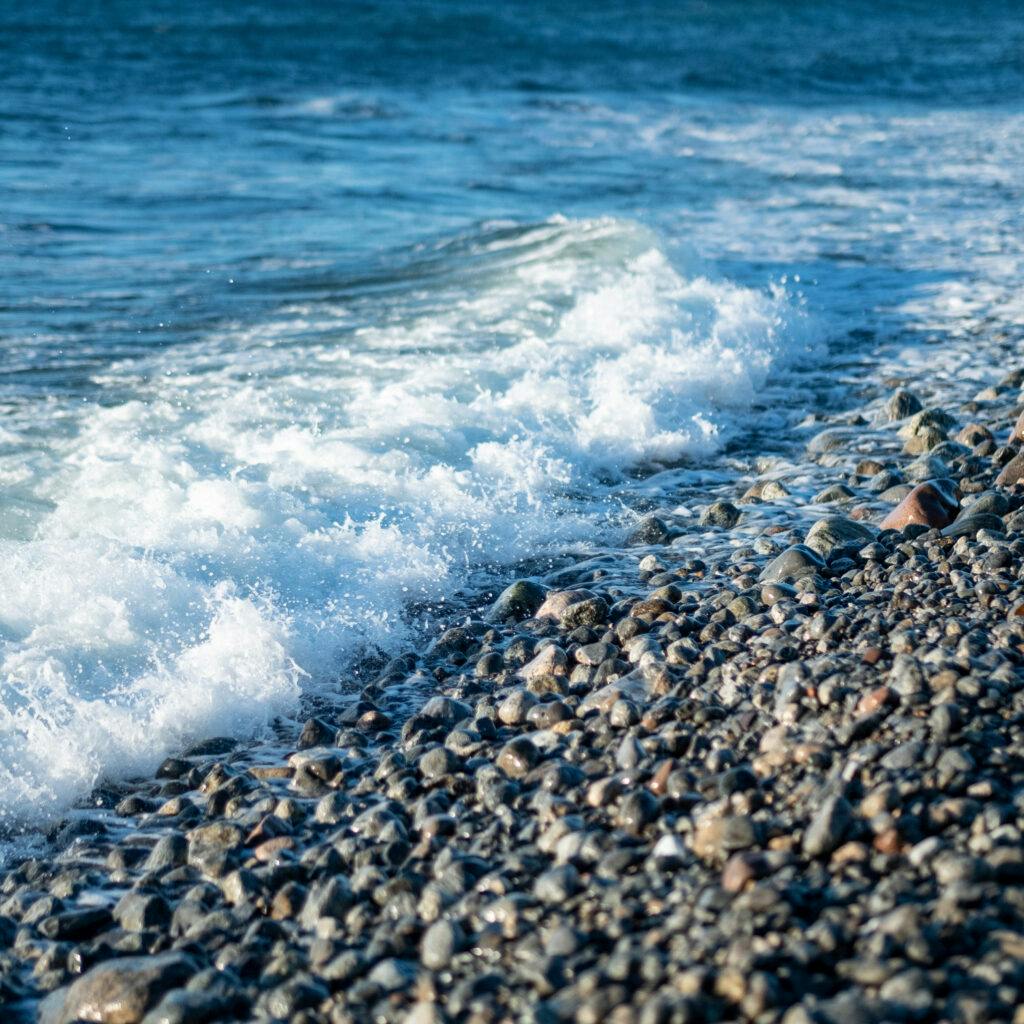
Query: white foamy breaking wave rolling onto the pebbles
{"points": [[240, 519]]}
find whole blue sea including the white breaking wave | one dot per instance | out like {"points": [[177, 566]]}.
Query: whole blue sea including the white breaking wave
{"points": [[318, 322]]}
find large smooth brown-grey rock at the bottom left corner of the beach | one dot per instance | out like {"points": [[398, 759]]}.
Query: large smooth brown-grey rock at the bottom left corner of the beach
{"points": [[119, 992]]}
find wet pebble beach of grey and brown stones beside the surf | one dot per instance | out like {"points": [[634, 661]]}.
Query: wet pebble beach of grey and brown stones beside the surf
{"points": [[697, 793]]}
